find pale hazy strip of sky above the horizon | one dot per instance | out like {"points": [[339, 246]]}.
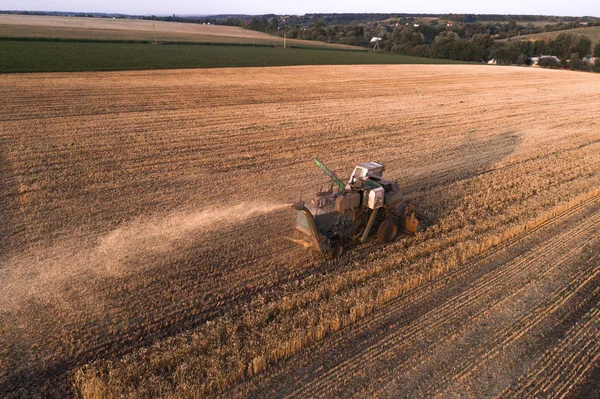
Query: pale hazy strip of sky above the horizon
{"points": [[207, 7]]}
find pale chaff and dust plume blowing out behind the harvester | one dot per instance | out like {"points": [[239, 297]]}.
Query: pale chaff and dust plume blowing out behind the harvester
{"points": [[43, 275]]}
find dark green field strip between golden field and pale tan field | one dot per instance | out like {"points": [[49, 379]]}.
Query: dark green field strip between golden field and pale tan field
{"points": [[49, 56]]}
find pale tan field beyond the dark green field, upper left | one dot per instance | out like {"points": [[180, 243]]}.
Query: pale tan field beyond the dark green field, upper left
{"points": [[36, 26]]}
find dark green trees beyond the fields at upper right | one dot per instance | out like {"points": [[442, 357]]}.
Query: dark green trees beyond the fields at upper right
{"points": [[475, 42]]}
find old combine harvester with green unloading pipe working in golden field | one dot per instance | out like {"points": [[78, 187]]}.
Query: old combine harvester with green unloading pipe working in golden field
{"points": [[335, 220]]}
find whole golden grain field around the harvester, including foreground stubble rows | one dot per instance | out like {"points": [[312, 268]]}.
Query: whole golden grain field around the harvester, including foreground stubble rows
{"points": [[143, 249]]}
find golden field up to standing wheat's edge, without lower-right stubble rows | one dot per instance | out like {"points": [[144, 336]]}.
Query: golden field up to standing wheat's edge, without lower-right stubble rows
{"points": [[137, 206]]}
